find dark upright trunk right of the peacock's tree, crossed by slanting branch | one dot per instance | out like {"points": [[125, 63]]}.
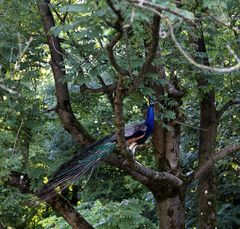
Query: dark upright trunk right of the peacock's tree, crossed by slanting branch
{"points": [[208, 125]]}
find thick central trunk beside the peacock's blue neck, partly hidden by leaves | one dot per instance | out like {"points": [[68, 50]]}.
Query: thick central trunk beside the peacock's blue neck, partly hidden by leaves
{"points": [[170, 200]]}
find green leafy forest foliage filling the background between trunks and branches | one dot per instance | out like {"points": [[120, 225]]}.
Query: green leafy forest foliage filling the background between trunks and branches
{"points": [[34, 142]]}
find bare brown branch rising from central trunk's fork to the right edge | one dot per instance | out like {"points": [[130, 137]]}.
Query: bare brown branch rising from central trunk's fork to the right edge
{"points": [[213, 159]]}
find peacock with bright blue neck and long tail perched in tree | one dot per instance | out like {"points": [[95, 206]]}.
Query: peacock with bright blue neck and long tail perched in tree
{"points": [[86, 160]]}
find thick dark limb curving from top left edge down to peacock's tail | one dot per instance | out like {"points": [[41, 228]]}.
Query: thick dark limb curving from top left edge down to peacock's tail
{"points": [[64, 108]]}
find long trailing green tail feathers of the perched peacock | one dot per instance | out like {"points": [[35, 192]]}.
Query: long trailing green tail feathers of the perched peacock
{"points": [[79, 165]]}
